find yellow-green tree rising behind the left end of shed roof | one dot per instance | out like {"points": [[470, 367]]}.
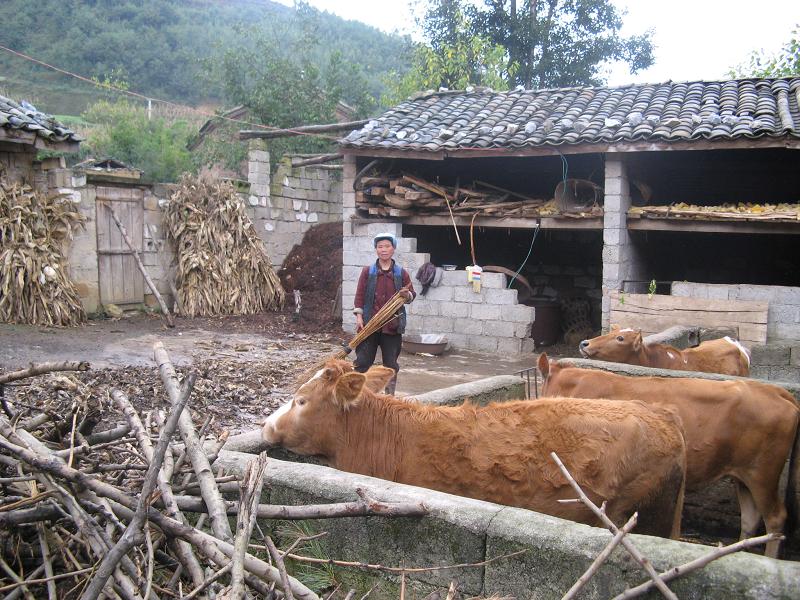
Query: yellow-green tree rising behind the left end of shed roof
{"points": [[454, 56]]}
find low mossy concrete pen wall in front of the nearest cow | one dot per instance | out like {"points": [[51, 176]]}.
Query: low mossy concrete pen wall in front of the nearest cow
{"points": [[460, 530]]}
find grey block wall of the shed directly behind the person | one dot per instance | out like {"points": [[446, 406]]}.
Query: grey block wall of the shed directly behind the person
{"points": [[486, 321]]}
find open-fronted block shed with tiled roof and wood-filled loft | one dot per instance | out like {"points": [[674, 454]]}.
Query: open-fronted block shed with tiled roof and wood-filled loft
{"points": [[586, 192]]}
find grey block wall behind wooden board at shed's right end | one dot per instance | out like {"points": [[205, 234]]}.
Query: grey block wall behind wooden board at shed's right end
{"points": [[779, 359]]}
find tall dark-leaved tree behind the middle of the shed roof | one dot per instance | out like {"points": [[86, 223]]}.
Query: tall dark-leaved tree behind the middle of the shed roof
{"points": [[549, 43]]}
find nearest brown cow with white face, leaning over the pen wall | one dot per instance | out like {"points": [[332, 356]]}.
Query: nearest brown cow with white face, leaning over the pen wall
{"points": [[623, 453]]}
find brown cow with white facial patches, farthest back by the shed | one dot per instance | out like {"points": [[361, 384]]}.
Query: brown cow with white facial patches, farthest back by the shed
{"points": [[726, 355]]}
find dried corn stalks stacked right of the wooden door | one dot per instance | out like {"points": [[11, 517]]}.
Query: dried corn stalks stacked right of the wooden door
{"points": [[223, 266]]}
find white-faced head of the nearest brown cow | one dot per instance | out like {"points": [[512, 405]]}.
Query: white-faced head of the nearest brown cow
{"points": [[308, 423]]}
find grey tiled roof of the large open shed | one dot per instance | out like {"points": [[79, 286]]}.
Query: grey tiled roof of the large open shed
{"points": [[667, 112]]}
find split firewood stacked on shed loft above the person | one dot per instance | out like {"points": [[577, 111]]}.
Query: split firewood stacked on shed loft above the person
{"points": [[403, 195]]}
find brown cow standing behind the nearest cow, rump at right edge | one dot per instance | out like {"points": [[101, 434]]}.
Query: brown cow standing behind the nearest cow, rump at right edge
{"points": [[744, 428]]}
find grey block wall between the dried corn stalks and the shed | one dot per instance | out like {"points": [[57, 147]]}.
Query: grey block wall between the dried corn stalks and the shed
{"points": [[285, 204]]}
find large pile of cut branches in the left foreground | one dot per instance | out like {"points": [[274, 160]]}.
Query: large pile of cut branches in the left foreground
{"points": [[95, 498]]}
